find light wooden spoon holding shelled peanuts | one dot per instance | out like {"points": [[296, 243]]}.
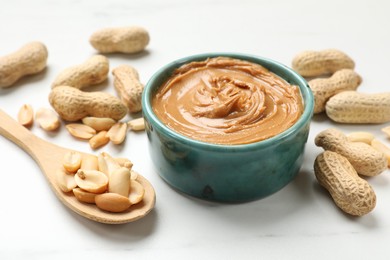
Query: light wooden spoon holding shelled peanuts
{"points": [[49, 158]]}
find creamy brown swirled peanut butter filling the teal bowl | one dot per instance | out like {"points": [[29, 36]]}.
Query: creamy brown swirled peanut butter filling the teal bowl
{"points": [[227, 101]]}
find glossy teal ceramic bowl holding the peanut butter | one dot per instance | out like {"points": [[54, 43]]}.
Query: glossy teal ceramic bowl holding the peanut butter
{"points": [[227, 173]]}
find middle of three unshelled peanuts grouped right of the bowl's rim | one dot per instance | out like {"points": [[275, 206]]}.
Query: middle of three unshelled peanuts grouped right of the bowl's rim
{"points": [[324, 88]]}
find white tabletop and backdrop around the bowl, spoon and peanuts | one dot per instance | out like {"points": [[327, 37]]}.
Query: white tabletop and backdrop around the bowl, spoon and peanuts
{"points": [[299, 222]]}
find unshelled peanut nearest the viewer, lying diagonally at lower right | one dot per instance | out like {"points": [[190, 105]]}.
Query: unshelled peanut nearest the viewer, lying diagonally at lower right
{"points": [[351, 193]]}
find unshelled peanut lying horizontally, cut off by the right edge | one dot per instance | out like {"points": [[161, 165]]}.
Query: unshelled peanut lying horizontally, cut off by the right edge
{"points": [[359, 108]]}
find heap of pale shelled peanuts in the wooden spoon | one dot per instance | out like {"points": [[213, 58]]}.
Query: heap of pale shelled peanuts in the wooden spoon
{"points": [[100, 180]]}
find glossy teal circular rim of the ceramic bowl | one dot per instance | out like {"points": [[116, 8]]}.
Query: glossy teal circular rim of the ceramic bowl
{"points": [[306, 93]]}
